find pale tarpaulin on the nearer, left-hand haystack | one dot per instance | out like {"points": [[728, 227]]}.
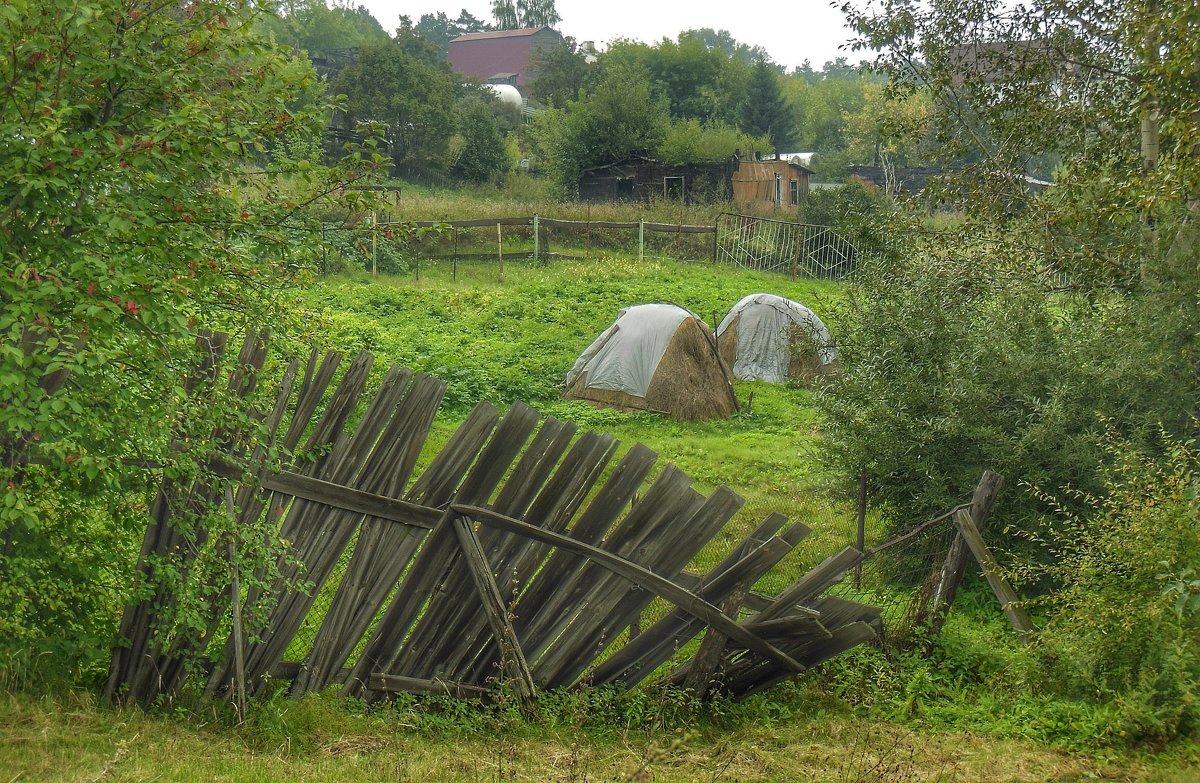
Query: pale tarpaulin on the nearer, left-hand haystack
{"points": [[627, 355]]}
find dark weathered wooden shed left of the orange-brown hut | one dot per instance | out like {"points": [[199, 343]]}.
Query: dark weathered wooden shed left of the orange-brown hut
{"points": [[645, 180]]}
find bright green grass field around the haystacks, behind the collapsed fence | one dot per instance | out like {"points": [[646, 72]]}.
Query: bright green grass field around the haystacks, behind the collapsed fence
{"points": [[517, 339]]}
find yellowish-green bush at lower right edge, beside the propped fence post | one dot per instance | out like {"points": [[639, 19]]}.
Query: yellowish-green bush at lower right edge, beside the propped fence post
{"points": [[1124, 621]]}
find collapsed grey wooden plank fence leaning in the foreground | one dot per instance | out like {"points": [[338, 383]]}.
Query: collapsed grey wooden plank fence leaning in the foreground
{"points": [[519, 559]]}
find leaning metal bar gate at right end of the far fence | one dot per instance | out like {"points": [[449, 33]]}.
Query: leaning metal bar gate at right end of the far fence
{"points": [[782, 247]]}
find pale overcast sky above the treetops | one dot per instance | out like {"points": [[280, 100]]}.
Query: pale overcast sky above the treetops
{"points": [[790, 32]]}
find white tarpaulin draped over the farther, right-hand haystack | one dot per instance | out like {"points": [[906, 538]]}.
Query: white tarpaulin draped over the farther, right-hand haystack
{"points": [[764, 346]]}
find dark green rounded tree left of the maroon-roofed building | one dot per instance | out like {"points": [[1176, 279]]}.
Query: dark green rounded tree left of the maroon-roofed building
{"points": [[407, 87]]}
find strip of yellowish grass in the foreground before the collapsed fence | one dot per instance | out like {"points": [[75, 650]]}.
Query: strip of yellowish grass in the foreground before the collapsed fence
{"points": [[323, 739]]}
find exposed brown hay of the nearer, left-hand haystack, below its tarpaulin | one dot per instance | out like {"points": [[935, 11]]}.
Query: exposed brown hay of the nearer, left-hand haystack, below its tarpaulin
{"points": [[692, 382]]}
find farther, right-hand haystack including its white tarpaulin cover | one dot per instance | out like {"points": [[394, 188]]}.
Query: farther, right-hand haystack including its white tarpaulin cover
{"points": [[775, 339]]}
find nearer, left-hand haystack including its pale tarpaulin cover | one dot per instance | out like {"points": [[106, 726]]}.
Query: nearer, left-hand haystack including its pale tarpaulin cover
{"points": [[658, 358]]}
